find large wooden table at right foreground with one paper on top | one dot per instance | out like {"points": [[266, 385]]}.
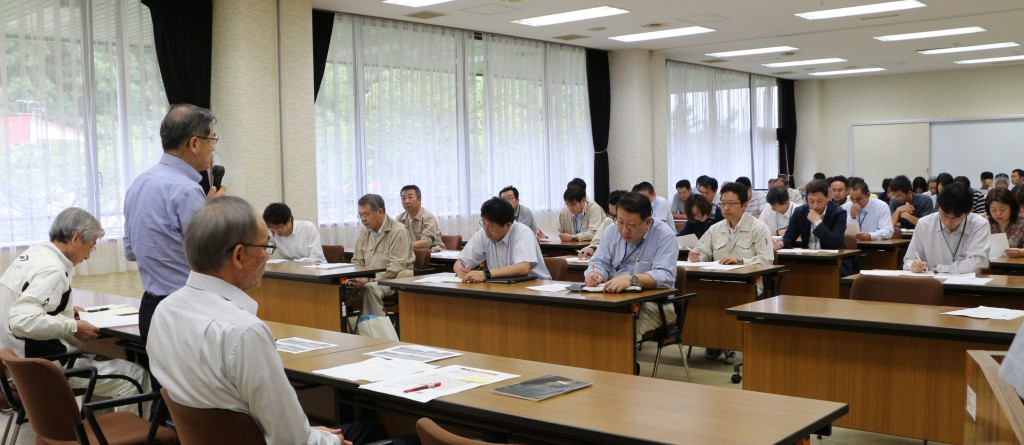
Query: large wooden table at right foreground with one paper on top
{"points": [[900, 367]]}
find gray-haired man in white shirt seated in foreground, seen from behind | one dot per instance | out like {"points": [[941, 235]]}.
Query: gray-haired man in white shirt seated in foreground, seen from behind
{"points": [[208, 348]]}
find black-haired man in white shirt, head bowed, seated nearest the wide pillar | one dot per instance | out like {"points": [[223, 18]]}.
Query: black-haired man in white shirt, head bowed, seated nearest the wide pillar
{"points": [[297, 241]]}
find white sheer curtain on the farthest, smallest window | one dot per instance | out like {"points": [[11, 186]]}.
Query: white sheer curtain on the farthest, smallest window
{"points": [[710, 124]]}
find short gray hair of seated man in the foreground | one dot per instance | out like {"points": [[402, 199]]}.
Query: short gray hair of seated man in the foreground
{"points": [[216, 230]]}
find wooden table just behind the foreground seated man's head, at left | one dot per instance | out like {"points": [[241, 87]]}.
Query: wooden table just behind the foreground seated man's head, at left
{"points": [[315, 298]]}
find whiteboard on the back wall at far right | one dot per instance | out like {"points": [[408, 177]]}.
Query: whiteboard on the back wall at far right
{"points": [[969, 148]]}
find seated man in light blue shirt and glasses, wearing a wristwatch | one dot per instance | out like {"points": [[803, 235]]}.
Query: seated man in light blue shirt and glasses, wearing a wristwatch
{"points": [[637, 251]]}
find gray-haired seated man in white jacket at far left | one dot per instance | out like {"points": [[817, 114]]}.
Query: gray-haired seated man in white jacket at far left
{"points": [[40, 320]]}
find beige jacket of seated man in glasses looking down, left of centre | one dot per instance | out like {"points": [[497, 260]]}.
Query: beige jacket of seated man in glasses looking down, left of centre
{"points": [[394, 250]]}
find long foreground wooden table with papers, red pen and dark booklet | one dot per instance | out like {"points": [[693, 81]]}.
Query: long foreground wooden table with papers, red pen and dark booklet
{"points": [[616, 410]]}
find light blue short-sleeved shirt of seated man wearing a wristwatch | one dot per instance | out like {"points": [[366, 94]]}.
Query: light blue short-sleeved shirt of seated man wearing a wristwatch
{"points": [[655, 255]]}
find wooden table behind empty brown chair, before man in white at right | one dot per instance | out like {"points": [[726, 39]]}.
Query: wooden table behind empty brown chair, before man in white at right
{"points": [[1003, 292]]}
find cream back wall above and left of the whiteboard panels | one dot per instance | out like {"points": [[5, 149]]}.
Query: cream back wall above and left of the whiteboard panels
{"points": [[827, 108]]}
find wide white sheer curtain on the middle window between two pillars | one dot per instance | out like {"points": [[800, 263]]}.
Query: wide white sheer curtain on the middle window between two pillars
{"points": [[459, 114]]}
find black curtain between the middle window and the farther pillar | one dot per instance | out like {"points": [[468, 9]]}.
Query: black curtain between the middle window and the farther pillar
{"points": [[600, 91]]}
